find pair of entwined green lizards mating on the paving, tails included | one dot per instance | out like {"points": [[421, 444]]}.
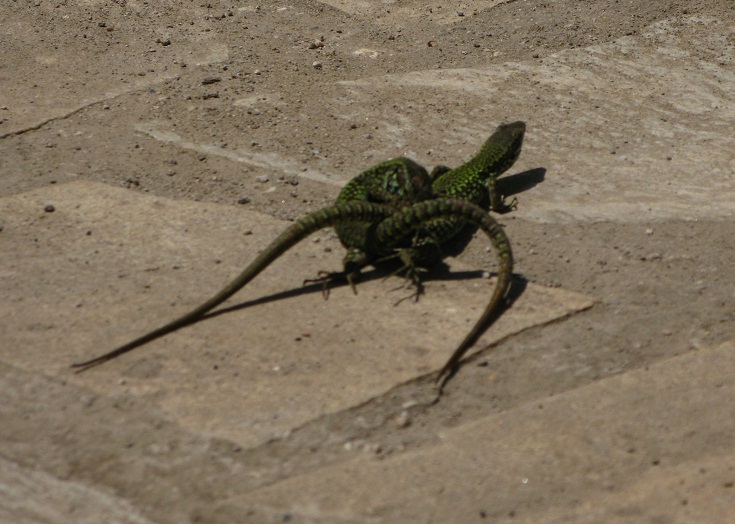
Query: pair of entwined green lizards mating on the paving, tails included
{"points": [[395, 208]]}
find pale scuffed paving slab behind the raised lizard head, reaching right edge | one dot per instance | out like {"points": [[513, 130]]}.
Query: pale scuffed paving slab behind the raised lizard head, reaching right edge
{"points": [[637, 129]]}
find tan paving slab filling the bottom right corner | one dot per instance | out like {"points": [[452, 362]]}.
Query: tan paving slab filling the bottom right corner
{"points": [[651, 445]]}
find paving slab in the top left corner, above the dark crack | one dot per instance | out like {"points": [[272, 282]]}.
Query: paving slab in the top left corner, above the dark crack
{"points": [[121, 49]]}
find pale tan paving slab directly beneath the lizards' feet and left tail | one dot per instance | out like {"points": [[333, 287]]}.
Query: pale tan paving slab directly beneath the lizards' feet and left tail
{"points": [[250, 375]]}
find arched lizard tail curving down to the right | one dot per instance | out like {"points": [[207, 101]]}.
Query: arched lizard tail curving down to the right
{"points": [[401, 224]]}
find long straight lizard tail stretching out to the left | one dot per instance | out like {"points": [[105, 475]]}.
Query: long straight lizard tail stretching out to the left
{"points": [[326, 217]]}
